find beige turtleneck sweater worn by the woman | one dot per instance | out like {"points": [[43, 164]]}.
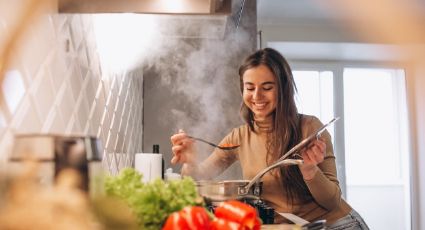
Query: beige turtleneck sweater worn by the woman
{"points": [[327, 204]]}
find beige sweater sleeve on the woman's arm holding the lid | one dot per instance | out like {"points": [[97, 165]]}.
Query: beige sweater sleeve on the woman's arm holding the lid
{"points": [[324, 186]]}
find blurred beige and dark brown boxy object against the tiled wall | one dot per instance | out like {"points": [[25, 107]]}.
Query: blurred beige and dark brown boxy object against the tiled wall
{"points": [[56, 153]]}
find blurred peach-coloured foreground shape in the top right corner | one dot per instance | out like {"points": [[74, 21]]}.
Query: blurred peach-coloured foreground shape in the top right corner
{"points": [[392, 22]]}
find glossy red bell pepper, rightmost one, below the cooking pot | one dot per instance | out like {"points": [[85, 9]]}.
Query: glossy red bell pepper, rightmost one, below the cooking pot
{"points": [[238, 212]]}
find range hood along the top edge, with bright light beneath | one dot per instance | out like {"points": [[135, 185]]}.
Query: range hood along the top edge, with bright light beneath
{"points": [[203, 7]]}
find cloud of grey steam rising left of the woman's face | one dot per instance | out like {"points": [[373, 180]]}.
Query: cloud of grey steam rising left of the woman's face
{"points": [[207, 76]]}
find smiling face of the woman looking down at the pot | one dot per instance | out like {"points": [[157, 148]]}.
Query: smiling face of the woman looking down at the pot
{"points": [[260, 91]]}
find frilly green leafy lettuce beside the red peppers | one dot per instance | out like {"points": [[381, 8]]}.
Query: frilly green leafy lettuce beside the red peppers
{"points": [[152, 202]]}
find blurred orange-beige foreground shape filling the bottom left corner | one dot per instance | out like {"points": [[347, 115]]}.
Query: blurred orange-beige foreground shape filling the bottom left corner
{"points": [[31, 206]]}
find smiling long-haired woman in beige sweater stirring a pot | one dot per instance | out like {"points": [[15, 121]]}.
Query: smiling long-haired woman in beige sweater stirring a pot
{"points": [[273, 126]]}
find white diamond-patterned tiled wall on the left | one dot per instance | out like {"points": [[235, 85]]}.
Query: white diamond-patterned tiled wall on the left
{"points": [[56, 85]]}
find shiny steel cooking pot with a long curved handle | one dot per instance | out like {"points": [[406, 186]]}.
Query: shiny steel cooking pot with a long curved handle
{"points": [[217, 191]]}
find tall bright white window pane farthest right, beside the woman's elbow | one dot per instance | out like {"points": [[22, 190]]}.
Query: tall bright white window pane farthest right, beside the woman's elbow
{"points": [[376, 153]]}
